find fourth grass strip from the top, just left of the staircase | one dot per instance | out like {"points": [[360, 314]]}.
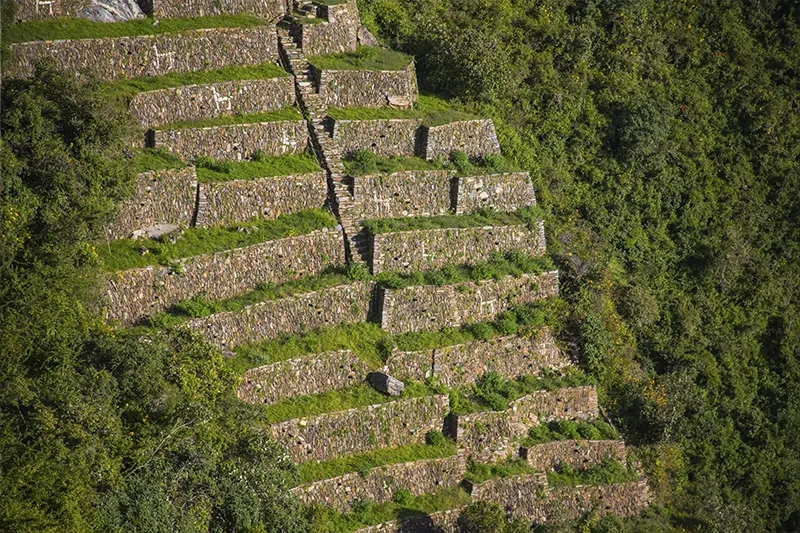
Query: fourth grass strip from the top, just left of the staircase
{"points": [[261, 166]]}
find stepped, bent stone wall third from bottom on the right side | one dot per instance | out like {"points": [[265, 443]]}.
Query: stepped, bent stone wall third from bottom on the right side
{"points": [[492, 435]]}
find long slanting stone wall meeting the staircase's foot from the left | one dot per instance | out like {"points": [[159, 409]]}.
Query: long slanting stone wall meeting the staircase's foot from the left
{"points": [[134, 294]]}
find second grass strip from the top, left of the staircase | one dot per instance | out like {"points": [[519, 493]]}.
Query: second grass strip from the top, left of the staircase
{"points": [[127, 89]]}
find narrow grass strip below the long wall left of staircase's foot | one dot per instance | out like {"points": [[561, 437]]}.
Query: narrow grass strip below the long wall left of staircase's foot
{"points": [[200, 306]]}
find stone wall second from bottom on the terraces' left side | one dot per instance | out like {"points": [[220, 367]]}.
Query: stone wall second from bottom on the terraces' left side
{"points": [[379, 484]]}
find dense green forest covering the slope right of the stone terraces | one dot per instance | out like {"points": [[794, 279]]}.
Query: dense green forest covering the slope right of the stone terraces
{"points": [[664, 140]]}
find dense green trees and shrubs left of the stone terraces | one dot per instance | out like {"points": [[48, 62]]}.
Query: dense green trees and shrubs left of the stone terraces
{"points": [[100, 430]]}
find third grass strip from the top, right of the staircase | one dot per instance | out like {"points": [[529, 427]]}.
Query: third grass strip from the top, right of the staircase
{"points": [[364, 162]]}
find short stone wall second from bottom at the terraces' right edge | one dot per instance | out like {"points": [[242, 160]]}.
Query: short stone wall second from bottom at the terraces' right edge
{"points": [[580, 454]]}
